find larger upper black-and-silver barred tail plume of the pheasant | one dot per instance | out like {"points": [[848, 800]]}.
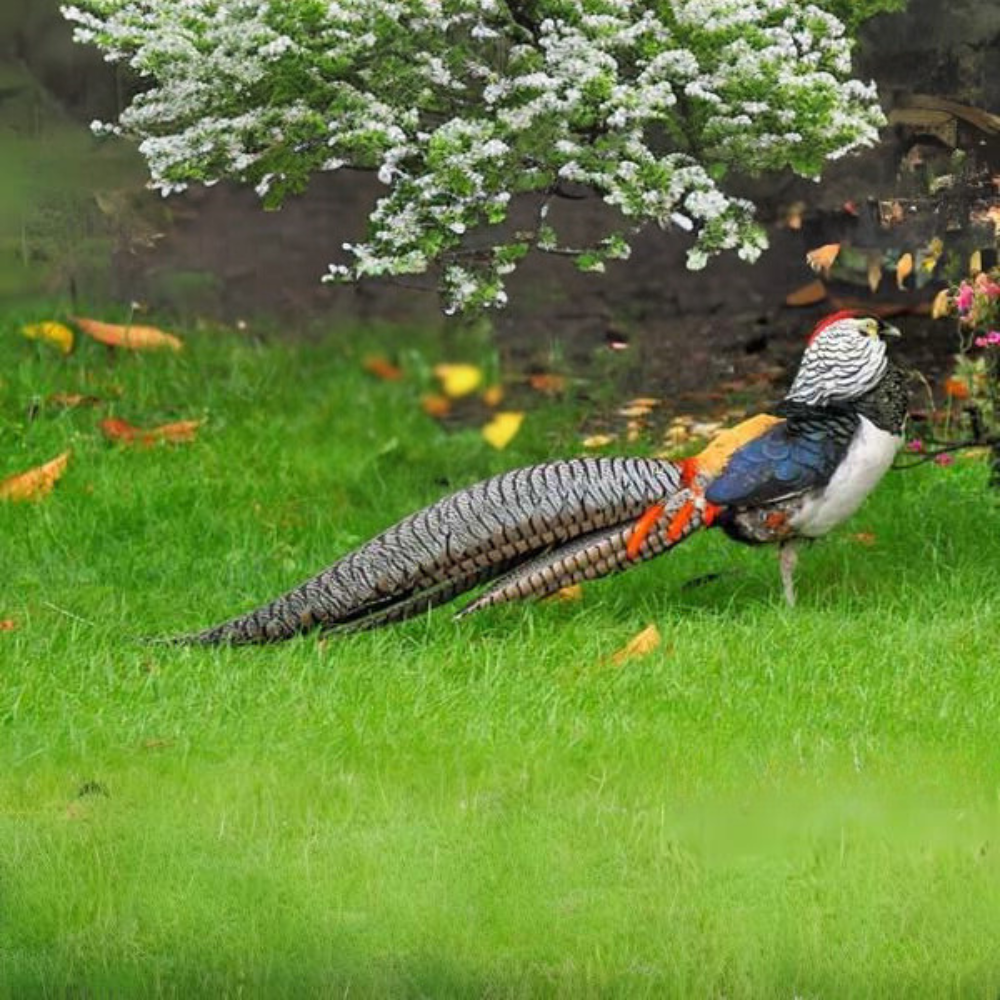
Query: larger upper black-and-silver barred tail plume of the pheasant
{"points": [[463, 540]]}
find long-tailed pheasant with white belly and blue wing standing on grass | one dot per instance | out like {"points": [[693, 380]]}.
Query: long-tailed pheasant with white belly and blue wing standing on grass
{"points": [[775, 478]]}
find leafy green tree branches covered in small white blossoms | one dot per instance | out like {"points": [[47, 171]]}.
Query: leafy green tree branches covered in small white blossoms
{"points": [[459, 105]]}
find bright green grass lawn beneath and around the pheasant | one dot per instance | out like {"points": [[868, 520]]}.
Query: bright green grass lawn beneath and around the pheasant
{"points": [[788, 803]]}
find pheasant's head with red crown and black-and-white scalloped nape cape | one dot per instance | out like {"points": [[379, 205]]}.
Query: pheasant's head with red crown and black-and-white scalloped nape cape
{"points": [[845, 358]]}
